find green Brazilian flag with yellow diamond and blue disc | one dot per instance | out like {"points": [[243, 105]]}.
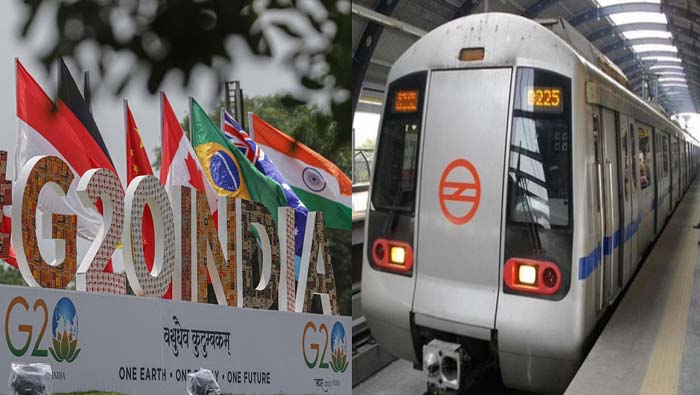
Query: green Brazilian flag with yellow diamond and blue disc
{"points": [[227, 169]]}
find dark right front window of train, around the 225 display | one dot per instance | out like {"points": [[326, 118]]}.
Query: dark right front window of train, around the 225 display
{"points": [[540, 158]]}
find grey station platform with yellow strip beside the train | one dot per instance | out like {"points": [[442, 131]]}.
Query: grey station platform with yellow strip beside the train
{"points": [[651, 345]]}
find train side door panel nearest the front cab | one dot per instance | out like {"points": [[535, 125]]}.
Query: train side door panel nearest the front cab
{"points": [[610, 195]]}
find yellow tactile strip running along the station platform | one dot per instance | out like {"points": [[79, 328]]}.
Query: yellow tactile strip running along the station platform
{"points": [[664, 365]]}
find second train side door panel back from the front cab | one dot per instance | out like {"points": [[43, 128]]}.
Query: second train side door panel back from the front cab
{"points": [[625, 172]]}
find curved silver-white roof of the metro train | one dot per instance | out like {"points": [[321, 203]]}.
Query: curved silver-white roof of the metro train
{"points": [[503, 37]]}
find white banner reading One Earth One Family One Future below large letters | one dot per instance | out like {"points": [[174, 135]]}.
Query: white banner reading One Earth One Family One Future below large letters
{"points": [[137, 345]]}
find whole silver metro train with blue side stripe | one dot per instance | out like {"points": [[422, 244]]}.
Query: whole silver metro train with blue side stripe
{"points": [[516, 188]]}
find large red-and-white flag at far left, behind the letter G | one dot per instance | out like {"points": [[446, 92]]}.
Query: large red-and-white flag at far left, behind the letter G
{"points": [[46, 128]]}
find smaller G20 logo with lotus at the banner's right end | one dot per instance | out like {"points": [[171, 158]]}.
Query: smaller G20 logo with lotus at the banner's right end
{"points": [[314, 338]]}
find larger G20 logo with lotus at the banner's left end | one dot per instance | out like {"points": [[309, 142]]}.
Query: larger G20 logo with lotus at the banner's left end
{"points": [[64, 327]]}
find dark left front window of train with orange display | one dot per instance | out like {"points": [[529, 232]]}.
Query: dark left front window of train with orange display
{"points": [[394, 185]]}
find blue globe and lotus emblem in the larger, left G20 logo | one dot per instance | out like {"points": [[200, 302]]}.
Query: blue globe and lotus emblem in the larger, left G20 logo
{"points": [[65, 332]]}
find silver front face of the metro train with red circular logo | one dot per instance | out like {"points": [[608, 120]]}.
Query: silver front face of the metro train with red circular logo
{"points": [[468, 250]]}
